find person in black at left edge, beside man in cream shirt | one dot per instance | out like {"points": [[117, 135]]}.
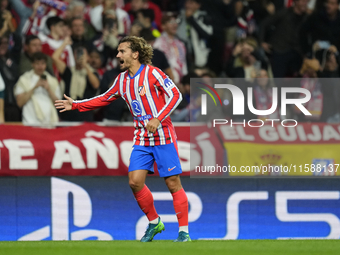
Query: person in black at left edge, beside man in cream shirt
{"points": [[9, 72]]}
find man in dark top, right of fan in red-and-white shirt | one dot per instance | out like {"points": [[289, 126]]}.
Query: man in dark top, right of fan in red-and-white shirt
{"points": [[77, 26]]}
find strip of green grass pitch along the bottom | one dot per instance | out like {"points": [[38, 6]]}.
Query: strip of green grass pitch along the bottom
{"points": [[239, 247]]}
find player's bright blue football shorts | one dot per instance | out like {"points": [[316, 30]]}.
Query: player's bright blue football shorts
{"points": [[166, 157]]}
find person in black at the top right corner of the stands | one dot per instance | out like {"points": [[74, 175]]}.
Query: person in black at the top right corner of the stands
{"points": [[322, 27]]}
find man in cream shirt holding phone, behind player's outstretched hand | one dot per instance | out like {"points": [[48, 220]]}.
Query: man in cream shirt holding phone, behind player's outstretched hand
{"points": [[36, 91]]}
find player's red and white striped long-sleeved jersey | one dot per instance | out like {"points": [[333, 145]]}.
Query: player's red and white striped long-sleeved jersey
{"points": [[149, 94]]}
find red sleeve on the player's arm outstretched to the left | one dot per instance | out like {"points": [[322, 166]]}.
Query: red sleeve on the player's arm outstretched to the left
{"points": [[99, 101]]}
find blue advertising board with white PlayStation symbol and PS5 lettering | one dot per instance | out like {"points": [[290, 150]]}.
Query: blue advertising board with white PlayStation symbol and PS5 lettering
{"points": [[103, 208]]}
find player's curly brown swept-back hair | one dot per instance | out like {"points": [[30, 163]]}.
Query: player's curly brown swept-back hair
{"points": [[139, 44]]}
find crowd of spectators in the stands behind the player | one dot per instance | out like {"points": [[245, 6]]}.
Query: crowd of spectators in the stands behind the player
{"points": [[52, 47]]}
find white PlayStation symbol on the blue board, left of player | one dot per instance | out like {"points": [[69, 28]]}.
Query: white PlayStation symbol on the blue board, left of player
{"points": [[60, 225]]}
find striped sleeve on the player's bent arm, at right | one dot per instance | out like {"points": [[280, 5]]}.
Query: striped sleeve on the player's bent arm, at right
{"points": [[165, 84]]}
